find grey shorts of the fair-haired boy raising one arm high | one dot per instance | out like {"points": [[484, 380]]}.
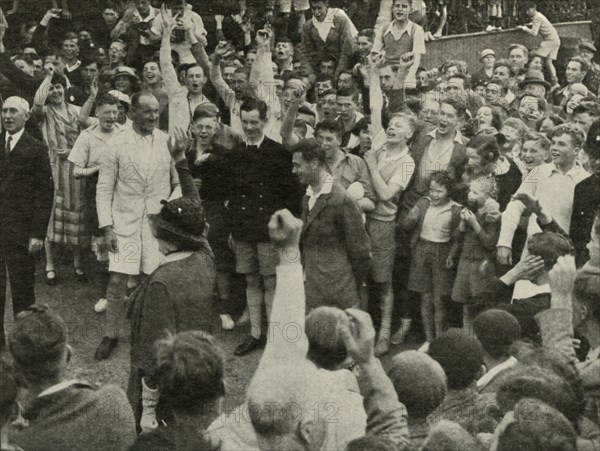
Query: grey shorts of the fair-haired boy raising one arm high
{"points": [[383, 248]]}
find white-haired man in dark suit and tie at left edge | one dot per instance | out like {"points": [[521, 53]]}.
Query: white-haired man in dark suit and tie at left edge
{"points": [[26, 194]]}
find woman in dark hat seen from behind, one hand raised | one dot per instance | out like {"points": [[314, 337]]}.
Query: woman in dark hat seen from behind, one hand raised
{"points": [[178, 295]]}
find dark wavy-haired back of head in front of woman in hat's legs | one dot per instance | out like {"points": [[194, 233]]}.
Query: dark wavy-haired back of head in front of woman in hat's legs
{"points": [[189, 370]]}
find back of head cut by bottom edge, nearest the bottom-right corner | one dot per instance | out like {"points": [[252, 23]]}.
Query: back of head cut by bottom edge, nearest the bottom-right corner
{"points": [[536, 426]]}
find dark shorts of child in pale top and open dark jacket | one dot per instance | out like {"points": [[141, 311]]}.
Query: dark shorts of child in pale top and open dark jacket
{"points": [[428, 272]]}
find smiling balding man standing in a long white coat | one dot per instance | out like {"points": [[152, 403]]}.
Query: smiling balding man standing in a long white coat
{"points": [[136, 173]]}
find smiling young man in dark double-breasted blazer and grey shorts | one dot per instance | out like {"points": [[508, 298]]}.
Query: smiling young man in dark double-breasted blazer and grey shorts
{"points": [[261, 183]]}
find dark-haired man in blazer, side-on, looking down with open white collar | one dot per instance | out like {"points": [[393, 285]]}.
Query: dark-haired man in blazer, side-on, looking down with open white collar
{"points": [[336, 249]]}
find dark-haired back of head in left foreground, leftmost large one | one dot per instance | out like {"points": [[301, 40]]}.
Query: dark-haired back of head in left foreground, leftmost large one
{"points": [[38, 344]]}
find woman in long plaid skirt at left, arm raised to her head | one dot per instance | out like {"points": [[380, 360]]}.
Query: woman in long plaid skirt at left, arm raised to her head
{"points": [[58, 120]]}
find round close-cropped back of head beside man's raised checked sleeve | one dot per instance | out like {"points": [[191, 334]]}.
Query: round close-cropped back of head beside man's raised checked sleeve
{"points": [[419, 381]]}
